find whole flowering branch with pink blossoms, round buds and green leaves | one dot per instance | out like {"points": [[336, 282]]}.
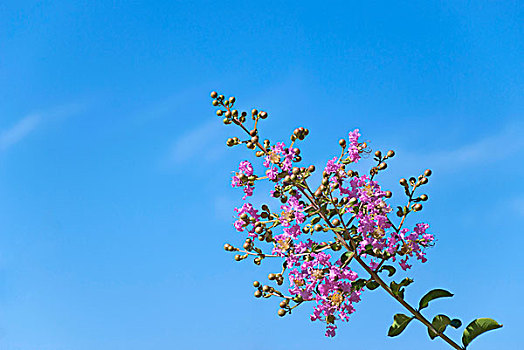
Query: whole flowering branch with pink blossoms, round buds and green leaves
{"points": [[351, 207]]}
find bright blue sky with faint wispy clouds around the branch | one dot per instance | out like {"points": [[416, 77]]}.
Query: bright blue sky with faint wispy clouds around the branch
{"points": [[115, 195]]}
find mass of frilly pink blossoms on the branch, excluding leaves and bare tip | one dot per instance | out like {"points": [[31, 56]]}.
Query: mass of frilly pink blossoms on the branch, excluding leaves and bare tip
{"points": [[313, 274]]}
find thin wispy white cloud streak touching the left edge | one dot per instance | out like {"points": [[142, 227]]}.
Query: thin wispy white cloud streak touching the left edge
{"points": [[28, 124]]}
